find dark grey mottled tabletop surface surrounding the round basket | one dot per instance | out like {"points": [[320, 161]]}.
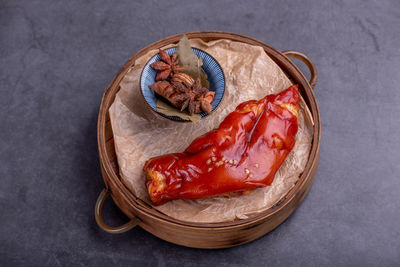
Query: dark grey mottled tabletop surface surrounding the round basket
{"points": [[57, 57]]}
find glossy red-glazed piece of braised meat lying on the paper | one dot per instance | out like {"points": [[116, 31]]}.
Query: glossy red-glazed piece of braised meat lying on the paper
{"points": [[252, 142]]}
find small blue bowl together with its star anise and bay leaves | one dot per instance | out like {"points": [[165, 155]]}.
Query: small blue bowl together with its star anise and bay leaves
{"points": [[182, 83]]}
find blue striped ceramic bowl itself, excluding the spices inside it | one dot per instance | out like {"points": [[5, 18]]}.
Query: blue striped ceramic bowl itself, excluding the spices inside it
{"points": [[215, 77]]}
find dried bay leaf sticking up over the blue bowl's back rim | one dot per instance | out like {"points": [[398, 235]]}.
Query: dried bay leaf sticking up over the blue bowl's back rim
{"points": [[192, 63]]}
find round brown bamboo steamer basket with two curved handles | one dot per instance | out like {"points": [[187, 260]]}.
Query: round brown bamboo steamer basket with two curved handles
{"points": [[203, 235]]}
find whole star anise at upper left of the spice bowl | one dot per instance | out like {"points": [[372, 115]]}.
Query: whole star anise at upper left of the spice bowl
{"points": [[167, 66]]}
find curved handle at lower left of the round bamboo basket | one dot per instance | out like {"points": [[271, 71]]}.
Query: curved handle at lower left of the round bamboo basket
{"points": [[99, 218]]}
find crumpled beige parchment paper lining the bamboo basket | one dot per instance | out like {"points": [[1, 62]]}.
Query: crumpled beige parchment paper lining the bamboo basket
{"points": [[139, 134]]}
